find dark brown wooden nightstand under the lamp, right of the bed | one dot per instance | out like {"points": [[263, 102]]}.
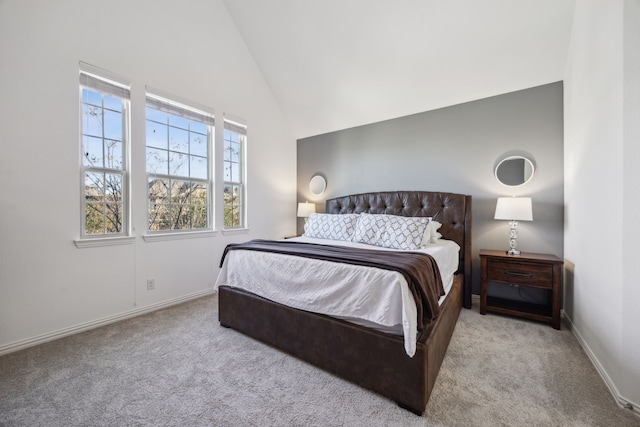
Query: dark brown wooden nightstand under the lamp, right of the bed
{"points": [[540, 271]]}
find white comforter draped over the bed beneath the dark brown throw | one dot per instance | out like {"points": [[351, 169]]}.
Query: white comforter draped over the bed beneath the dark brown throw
{"points": [[363, 295]]}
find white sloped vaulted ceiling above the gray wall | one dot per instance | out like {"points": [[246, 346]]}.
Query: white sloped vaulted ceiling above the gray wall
{"points": [[336, 64]]}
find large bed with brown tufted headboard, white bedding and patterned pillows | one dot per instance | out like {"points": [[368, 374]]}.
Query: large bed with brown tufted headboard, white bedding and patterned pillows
{"points": [[359, 322]]}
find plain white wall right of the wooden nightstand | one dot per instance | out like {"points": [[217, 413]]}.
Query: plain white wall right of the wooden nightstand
{"points": [[602, 163]]}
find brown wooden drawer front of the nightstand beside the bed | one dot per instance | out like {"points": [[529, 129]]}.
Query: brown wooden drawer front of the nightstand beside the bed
{"points": [[536, 275]]}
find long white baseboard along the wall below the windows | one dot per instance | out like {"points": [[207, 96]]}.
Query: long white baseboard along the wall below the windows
{"points": [[40, 339]]}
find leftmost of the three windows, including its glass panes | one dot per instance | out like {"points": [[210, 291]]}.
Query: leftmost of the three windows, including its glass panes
{"points": [[104, 106]]}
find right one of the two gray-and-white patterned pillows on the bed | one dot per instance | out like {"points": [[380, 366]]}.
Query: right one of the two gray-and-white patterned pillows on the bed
{"points": [[390, 231]]}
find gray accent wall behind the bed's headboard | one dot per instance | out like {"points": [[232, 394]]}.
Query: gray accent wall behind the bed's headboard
{"points": [[455, 149]]}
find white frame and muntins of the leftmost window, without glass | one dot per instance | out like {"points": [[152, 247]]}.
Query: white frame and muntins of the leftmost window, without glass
{"points": [[105, 83]]}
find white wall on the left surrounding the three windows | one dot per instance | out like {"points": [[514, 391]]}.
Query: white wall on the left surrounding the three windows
{"points": [[191, 49]]}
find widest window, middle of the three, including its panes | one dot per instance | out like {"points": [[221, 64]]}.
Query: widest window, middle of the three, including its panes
{"points": [[178, 145]]}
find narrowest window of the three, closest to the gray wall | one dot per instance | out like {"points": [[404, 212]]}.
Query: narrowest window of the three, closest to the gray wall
{"points": [[235, 140]]}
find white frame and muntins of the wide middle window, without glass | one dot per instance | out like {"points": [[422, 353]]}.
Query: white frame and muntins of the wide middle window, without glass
{"points": [[174, 106]]}
